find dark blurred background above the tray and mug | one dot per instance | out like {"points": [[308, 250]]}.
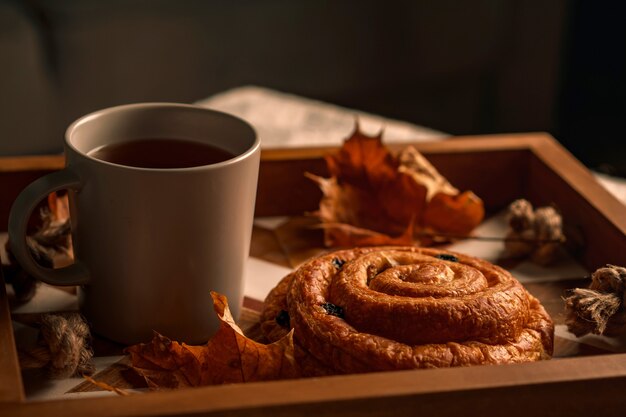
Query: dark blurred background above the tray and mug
{"points": [[462, 67]]}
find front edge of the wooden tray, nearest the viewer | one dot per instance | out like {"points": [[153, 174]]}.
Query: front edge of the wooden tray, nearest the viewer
{"points": [[533, 389]]}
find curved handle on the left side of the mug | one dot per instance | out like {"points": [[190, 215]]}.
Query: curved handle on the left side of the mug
{"points": [[25, 203]]}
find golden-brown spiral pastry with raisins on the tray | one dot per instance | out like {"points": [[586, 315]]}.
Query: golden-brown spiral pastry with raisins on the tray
{"points": [[390, 308]]}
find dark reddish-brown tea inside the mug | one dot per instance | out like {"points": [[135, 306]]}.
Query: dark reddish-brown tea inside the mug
{"points": [[161, 153]]}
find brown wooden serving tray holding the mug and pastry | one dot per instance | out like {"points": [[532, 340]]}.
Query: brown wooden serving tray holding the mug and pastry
{"points": [[499, 169]]}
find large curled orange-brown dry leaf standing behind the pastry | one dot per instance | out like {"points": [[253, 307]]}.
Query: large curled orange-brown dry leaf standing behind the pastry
{"points": [[374, 197]]}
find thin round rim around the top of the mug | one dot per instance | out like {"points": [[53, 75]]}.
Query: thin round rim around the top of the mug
{"points": [[256, 144]]}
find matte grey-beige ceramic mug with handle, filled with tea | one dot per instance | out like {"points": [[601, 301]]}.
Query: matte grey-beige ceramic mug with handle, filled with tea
{"points": [[150, 244]]}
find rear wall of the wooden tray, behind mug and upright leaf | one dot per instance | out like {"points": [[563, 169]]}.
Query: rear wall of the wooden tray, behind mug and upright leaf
{"points": [[496, 175]]}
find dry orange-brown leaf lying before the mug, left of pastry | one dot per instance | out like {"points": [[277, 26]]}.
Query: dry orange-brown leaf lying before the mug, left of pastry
{"points": [[228, 357]]}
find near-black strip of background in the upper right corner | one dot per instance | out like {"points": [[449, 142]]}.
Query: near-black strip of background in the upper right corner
{"points": [[590, 111]]}
